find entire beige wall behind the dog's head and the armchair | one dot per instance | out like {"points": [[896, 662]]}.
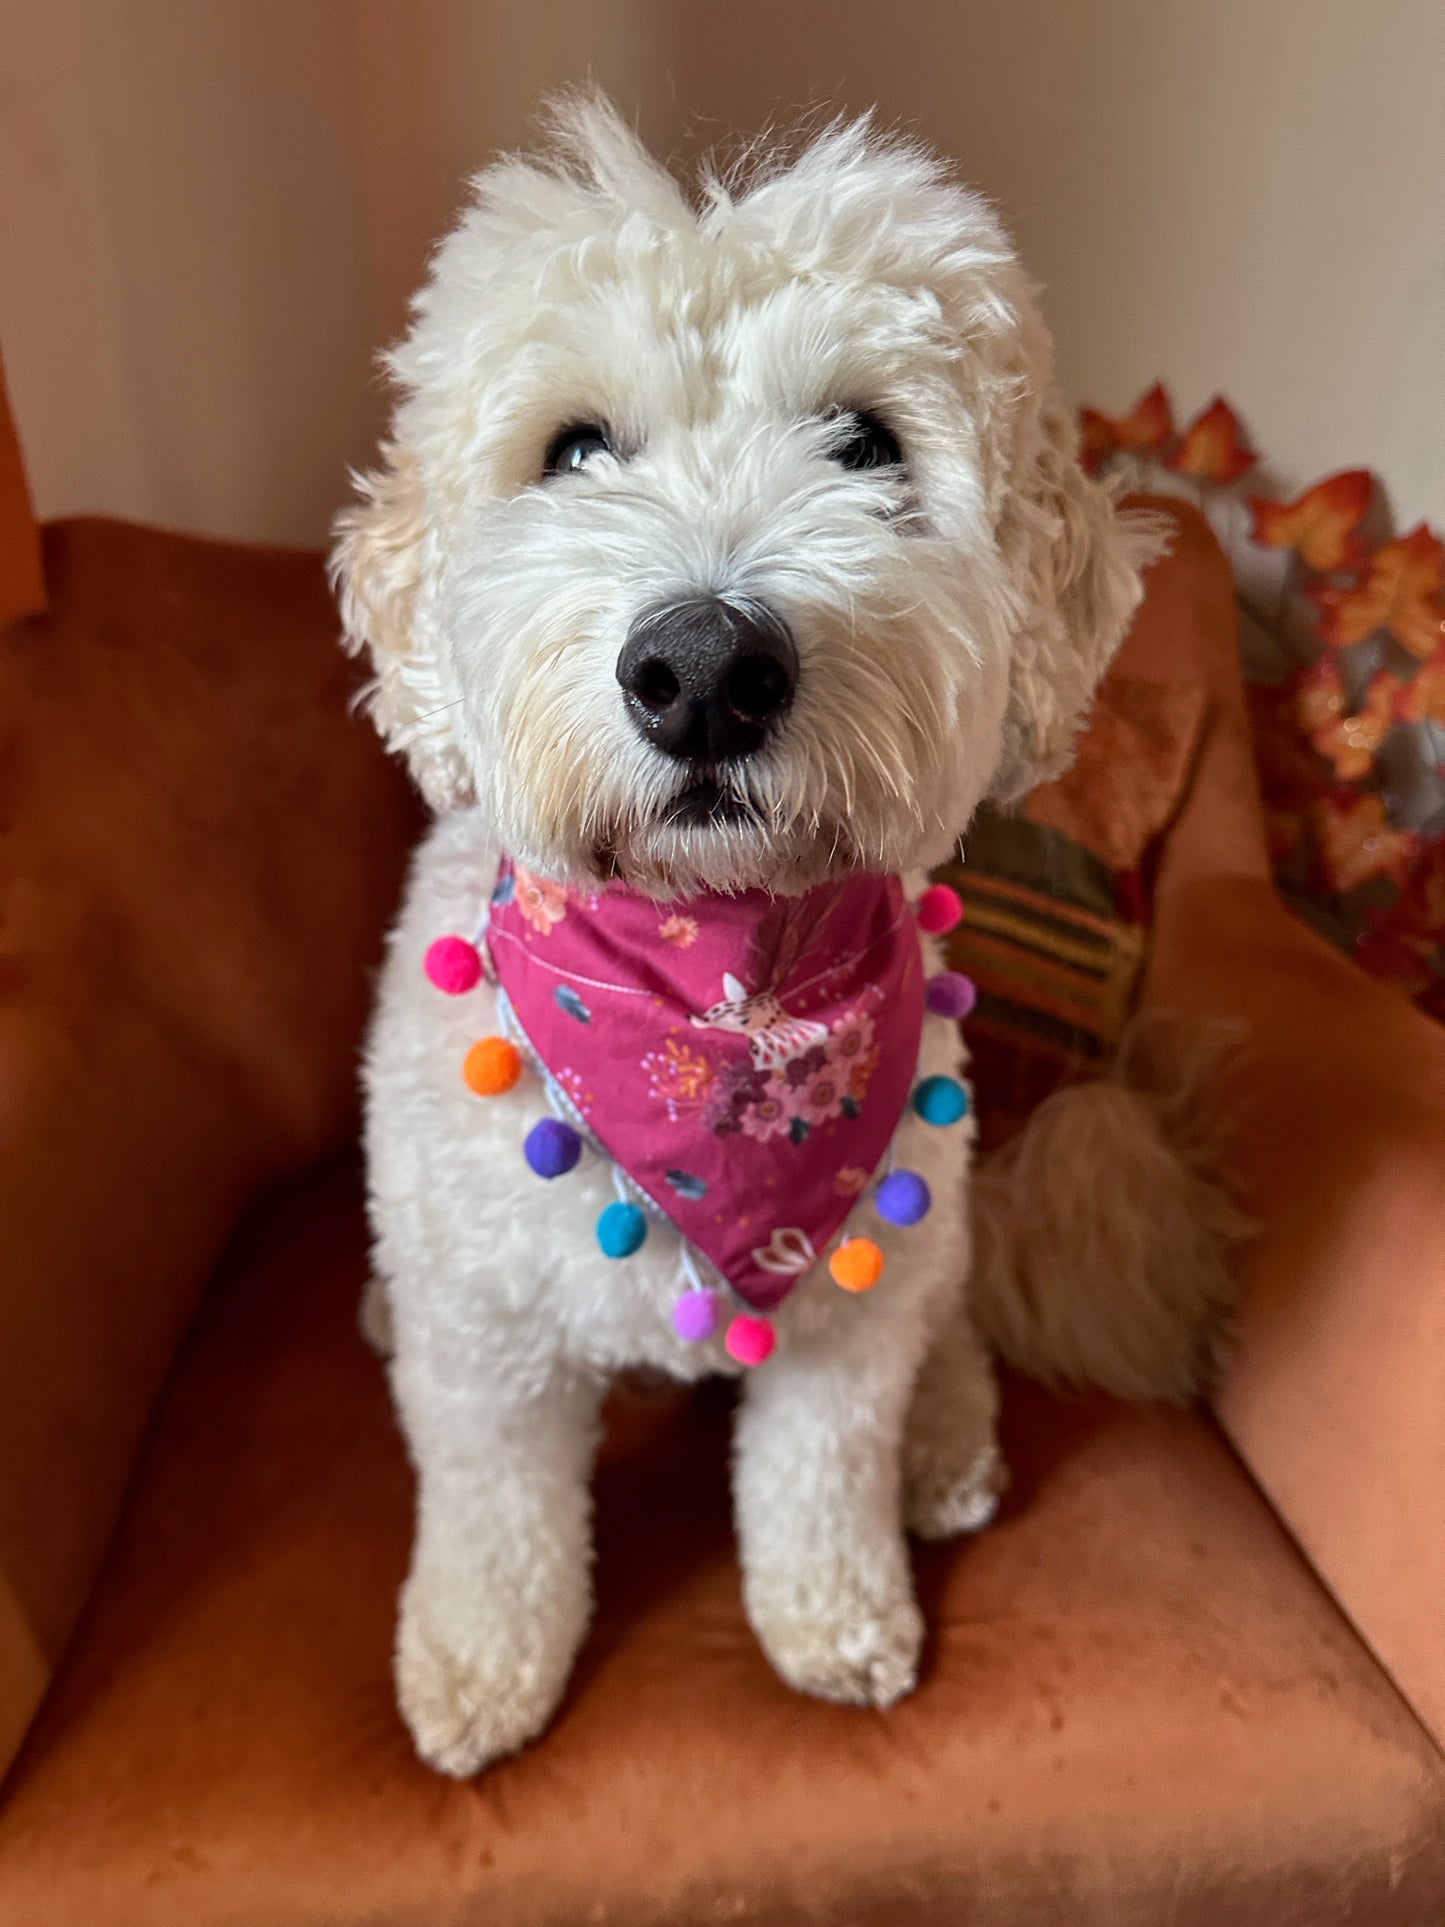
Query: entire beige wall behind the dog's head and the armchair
{"points": [[213, 209]]}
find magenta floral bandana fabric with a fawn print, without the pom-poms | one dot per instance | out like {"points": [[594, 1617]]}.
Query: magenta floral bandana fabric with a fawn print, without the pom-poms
{"points": [[745, 1061]]}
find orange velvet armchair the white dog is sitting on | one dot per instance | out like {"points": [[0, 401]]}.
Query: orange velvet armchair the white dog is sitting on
{"points": [[1195, 1674]]}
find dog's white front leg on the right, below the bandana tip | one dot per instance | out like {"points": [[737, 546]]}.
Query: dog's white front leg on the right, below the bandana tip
{"points": [[820, 1518]]}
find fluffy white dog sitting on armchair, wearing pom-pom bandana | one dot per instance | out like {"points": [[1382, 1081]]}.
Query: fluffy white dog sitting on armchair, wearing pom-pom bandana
{"points": [[727, 552]]}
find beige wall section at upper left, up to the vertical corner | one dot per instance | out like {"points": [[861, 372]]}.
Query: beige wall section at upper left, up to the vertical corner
{"points": [[186, 294]]}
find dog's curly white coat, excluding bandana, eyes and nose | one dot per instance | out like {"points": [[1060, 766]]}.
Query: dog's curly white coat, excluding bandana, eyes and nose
{"points": [[951, 618]]}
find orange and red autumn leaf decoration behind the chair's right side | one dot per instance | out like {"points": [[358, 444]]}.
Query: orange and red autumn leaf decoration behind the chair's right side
{"points": [[1350, 733]]}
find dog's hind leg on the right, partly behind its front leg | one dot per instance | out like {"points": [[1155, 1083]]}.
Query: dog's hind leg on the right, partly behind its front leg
{"points": [[953, 1471]]}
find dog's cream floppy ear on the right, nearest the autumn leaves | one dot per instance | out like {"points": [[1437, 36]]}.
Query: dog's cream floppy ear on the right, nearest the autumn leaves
{"points": [[1074, 558]]}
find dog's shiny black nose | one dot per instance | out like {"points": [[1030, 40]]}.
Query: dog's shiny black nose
{"points": [[706, 677]]}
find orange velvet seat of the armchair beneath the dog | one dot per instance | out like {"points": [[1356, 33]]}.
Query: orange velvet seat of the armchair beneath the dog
{"points": [[1138, 1703]]}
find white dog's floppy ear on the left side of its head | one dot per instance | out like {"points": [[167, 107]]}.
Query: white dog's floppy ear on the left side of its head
{"points": [[377, 571]]}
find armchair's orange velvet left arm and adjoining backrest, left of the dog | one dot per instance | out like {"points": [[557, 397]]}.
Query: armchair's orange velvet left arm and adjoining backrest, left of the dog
{"points": [[201, 847]]}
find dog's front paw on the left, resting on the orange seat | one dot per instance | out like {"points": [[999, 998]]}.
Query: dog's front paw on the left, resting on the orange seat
{"points": [[467, 1708]]}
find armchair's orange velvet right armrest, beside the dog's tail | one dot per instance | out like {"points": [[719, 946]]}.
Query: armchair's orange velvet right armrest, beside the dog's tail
{"points": [[1338, 1394]]}
